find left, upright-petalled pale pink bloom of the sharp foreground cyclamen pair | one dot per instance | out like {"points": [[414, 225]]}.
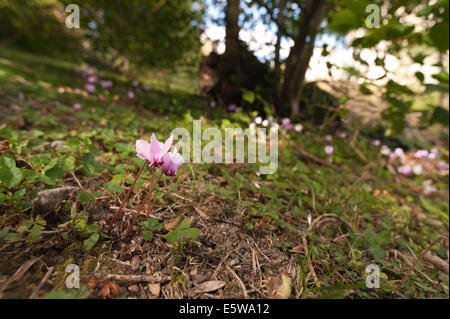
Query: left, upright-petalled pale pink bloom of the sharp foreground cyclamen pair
{"points": [[153, 151]]}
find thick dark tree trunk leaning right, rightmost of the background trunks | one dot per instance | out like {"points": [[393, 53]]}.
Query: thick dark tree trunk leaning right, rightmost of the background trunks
{"points": [[300, 54]]}
